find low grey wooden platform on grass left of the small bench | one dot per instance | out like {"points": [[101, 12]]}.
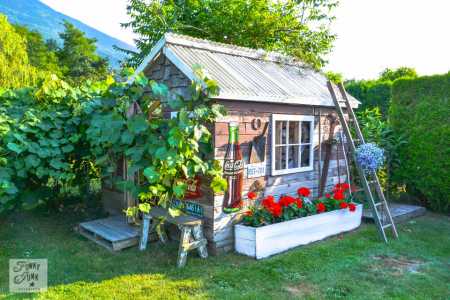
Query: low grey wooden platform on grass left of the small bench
{"points": [[113, 233]]}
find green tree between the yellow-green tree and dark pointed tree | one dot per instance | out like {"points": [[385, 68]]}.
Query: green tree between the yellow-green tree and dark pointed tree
{"points": [[39, 53]]}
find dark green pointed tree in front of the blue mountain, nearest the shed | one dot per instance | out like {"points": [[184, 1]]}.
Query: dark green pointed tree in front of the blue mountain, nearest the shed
{"points": [[78, 58]]}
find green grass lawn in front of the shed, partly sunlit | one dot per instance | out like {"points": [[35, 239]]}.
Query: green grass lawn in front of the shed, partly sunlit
{"points": [[353, 265]]}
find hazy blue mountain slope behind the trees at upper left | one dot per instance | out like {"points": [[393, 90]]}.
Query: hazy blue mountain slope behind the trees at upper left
{"points": [[38, 16]]}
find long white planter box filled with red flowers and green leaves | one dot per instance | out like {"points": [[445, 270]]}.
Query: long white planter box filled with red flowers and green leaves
{"points": [[273, 226]]}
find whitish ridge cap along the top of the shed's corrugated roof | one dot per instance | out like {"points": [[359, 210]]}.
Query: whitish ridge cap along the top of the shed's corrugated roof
{"points": [[260, 54]]}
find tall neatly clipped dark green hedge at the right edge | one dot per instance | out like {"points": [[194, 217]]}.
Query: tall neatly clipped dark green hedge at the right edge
{"points": [[420, 110]]}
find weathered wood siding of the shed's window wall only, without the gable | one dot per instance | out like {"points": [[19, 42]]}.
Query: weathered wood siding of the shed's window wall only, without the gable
{"points": [[245, 113]]}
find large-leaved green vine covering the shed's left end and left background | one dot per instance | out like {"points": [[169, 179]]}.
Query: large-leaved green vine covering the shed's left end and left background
{"points": [[54, 137]]}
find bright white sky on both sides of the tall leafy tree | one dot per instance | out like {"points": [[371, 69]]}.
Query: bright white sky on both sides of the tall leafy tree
{"points": [[372, 34]]}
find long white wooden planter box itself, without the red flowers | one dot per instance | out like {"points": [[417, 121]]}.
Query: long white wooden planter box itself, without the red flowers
{"points": [[261, 242]]}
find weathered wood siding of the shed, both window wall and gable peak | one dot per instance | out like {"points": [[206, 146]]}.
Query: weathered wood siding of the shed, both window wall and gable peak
{"points": [[218, 226]]}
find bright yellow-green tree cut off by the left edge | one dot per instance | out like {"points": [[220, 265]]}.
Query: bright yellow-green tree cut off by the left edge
{"points": [[15, 69]]}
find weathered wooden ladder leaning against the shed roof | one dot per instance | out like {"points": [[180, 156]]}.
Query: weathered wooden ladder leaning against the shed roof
{"points": [[370, 182]]}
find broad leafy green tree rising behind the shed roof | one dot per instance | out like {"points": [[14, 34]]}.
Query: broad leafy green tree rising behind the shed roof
{"points": [[298, 28]]}
